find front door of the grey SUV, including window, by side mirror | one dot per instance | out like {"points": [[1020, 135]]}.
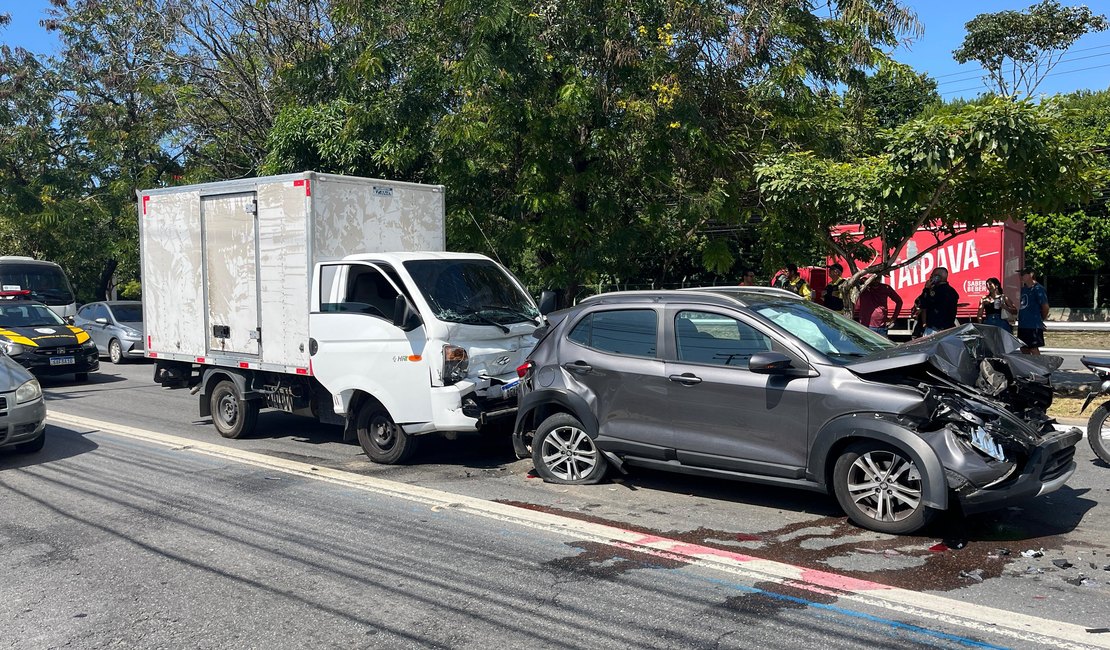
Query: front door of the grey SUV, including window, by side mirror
{"points": [[724, 415]]}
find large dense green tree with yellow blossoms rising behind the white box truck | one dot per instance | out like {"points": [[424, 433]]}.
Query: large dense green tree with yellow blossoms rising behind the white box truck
{"points": [[581, 141]]}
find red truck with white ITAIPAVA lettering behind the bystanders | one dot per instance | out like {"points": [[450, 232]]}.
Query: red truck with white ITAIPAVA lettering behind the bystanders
{"points": [[971, 257]]}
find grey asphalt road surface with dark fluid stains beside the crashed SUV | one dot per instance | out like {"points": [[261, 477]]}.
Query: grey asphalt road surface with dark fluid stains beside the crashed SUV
{"points": [[116, 540]]}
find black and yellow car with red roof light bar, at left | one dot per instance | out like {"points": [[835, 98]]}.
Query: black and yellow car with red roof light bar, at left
{"points": [[41, 341]]}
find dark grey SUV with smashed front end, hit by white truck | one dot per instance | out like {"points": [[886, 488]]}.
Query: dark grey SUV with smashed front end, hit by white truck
{"points": [[769, 389]]}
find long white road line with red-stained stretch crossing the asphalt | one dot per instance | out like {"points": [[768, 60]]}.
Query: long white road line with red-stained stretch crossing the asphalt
{"points": [[986, 621]]}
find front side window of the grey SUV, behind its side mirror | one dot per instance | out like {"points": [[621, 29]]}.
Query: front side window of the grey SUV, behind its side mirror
{"points": [[714, 339]]}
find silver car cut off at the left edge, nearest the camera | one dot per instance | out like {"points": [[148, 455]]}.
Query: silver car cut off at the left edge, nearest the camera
{"points": [[23, 410]]}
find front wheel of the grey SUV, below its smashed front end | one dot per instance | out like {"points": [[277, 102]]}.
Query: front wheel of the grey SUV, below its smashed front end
{"points": [[881, 489]]}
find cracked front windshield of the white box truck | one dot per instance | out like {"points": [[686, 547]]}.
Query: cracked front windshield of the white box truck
{"points": [[472, 291]]}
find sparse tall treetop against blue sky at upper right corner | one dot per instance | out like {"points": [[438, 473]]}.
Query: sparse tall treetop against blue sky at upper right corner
{"points": [[1018, 49]]}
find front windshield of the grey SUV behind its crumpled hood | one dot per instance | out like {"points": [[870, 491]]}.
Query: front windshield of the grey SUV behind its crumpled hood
{"points": [[828, 332]]}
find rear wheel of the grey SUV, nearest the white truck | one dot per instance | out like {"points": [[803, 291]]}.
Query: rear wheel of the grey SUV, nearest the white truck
{"points": [[564, 453]]}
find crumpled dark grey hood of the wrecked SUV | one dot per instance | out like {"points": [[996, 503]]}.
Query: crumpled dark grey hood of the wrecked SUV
{"points": [[960, 354]]}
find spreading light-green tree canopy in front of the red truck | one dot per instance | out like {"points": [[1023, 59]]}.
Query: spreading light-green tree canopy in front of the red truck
{"points": [[963, 168]]}
